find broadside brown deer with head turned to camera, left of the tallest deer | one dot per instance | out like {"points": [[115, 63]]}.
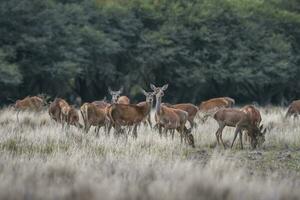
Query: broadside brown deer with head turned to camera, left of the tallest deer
{"points": [[128, 114]]}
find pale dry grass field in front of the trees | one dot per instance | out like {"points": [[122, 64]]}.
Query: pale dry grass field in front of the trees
{"points": [[39, 160]]}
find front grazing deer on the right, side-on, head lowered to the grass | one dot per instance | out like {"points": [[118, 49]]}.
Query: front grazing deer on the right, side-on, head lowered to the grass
{"points": [[242, 121]]}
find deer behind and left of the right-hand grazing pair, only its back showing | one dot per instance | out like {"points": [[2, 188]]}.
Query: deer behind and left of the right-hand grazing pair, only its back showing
{"points": [[207, 108]]}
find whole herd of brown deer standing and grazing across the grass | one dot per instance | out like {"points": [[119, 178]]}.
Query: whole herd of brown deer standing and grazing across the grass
{"points": [[123, 116]]}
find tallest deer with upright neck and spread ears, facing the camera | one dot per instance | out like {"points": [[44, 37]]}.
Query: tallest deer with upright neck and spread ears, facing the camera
{"points": [[171, 118]]}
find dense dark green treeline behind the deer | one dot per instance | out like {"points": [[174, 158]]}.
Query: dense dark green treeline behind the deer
{"points": [[246, 49]]}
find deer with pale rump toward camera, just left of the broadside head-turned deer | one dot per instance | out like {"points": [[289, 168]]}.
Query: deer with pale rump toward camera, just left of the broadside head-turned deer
{"points": [[92, 115]]}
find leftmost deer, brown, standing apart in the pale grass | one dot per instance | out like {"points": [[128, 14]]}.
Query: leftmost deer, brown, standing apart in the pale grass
{"points": [[33, 103]]}
